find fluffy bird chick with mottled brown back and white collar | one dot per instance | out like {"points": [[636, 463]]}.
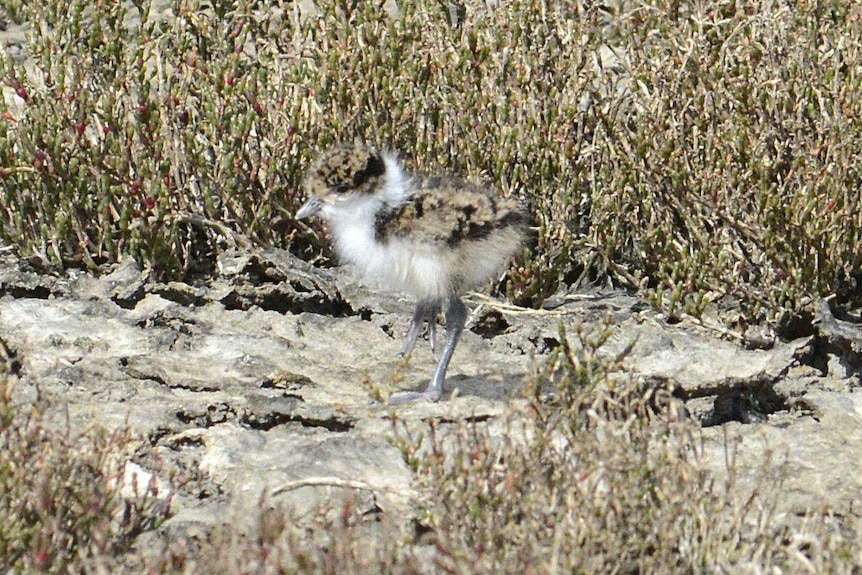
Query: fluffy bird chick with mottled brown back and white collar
{"points": [[433, 237]]}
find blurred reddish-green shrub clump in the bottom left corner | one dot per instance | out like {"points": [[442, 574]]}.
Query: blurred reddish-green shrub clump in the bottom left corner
{"points": [[61, 506]]}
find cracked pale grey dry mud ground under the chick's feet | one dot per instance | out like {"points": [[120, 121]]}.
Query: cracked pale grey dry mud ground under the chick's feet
{"points": [[257, 381]]}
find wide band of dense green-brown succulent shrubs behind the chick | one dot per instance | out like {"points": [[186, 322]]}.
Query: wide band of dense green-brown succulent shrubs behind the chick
{"points": [[702, 152]]}
